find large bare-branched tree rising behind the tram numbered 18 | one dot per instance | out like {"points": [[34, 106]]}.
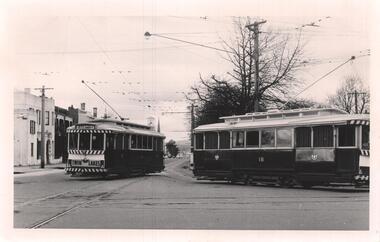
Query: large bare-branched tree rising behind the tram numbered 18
{"points": [[279, 57]]}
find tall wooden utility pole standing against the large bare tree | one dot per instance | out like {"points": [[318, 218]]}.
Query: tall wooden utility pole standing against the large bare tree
{"points": [[255, 28]]}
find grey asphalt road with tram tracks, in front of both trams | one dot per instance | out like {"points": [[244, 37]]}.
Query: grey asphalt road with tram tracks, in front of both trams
{"points": [[175, 200]]}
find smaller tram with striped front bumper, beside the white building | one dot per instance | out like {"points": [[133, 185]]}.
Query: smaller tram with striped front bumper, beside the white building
{"points": [[107, 146]]}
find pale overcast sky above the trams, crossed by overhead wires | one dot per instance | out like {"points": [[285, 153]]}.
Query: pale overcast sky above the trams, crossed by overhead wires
{"points": [[60, 43]]}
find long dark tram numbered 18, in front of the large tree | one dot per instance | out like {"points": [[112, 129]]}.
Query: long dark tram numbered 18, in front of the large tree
{"points": [[305, 147]]}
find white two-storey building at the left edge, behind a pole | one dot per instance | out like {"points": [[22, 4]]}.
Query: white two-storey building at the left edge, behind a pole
{"points": [[27, 128]]}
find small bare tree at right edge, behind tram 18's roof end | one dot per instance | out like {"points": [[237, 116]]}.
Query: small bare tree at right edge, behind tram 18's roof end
{"points": [[344, 98]]}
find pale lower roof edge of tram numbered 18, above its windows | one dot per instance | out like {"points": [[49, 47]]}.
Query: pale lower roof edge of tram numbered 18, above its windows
{"points": [[337, 119]]}
